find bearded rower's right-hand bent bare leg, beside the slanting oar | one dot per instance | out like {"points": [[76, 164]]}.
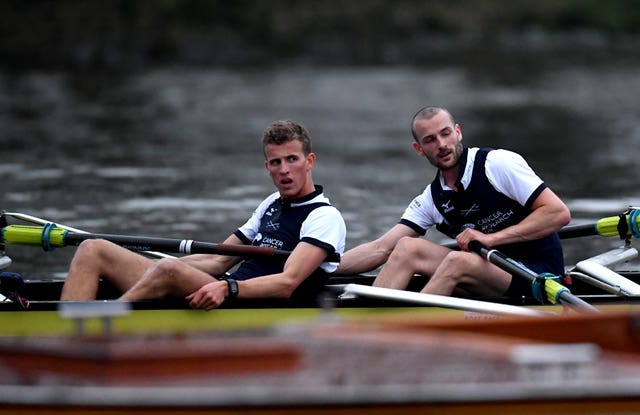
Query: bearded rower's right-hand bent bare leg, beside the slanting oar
{"points": [[471, 273]]}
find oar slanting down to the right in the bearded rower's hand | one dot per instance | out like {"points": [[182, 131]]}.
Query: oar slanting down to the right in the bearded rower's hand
{"points": [[555, 292]]}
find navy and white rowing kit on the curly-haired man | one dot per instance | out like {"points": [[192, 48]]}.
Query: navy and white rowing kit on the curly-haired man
{"points": [[283, 223]]}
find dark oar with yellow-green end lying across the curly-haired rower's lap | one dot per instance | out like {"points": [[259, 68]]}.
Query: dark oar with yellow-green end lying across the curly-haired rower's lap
{"points": [[50, 237]]}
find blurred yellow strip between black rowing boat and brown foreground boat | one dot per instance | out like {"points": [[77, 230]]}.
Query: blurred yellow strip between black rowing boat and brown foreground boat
{"points": [[52, 323]]}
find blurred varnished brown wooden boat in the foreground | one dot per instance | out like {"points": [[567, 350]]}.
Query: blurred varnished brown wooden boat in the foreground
{"points": [[393, 365]]}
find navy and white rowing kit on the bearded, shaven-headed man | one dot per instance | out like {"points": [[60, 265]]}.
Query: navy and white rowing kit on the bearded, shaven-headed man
{"points": [[496, 189]]}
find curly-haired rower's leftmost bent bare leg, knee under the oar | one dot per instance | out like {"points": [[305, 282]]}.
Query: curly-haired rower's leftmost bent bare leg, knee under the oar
{"points": [[95, 259]]}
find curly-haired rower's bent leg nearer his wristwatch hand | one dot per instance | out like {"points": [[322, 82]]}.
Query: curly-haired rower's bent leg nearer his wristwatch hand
{"points": [[167, 277]]}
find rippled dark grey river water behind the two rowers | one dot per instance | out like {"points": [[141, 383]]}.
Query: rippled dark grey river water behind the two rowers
{"points": [[176, 151]]}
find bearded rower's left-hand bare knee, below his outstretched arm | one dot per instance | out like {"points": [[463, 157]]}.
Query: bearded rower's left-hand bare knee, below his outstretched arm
{"points": [[410, 256]]}
